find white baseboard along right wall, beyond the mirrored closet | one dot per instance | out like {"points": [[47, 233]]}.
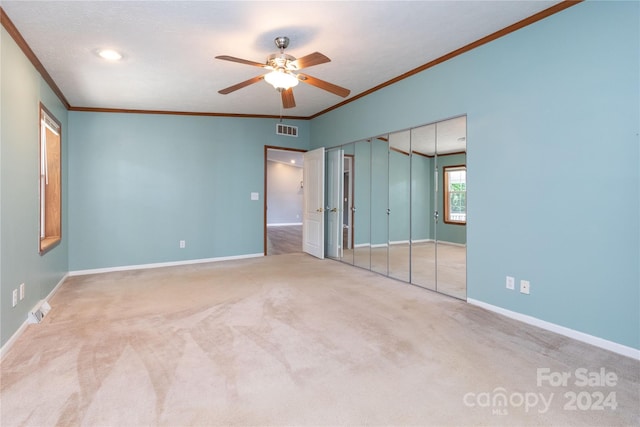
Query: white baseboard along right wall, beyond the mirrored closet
{"points": [[624, 350]]}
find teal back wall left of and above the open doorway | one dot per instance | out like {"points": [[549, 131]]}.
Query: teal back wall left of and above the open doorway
{"points": [[140, 183]]}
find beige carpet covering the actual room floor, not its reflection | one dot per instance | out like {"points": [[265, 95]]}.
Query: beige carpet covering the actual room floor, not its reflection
{"points": [[292, 340]]}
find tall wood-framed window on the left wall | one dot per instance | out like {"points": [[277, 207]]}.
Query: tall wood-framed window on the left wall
{"points": [[50, 202]]}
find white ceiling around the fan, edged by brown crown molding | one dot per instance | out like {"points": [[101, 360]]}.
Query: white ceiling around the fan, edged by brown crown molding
{"points": [[169, 47]]}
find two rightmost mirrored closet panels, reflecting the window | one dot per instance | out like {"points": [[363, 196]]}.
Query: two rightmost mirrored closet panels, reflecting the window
{"points": [[438, 207]]}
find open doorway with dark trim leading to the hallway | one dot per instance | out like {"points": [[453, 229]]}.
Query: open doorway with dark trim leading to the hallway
{"points": [[283, 200]]}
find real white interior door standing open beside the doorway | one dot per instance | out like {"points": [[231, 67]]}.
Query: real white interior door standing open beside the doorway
{"points": [[313, 203]]}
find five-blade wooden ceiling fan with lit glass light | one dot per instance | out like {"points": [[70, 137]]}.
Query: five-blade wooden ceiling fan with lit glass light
{"points": [[283, 75]]}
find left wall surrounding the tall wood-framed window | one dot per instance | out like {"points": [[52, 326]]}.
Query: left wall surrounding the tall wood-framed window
{"points": [[22, 90]]}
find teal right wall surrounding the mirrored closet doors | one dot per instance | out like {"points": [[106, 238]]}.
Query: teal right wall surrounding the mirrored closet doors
{"points": [[552, 127]]}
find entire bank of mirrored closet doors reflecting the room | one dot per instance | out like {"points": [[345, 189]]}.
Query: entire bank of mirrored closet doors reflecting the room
{"points": [[402, 208]]}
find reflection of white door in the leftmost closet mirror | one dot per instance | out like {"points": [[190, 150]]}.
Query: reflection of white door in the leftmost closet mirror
{"points": [[334, 202]]}
